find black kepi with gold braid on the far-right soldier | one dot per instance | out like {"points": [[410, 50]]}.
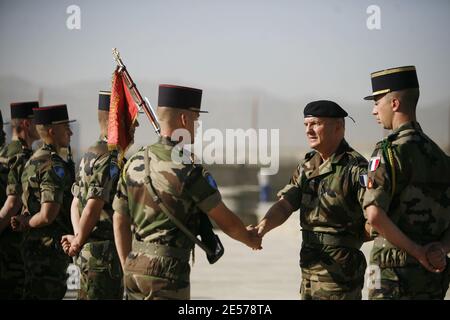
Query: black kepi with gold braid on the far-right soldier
{"points": [[393, 79]]}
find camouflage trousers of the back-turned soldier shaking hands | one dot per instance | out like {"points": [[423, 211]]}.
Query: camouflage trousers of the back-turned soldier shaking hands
{"points": [[152, 277]]}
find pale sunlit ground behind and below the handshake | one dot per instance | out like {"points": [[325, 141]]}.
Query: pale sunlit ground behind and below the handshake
{"points": [[272, 273]]}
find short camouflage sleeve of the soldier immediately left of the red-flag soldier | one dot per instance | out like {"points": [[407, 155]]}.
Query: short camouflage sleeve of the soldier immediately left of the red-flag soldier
{"points": [[52, 183]]}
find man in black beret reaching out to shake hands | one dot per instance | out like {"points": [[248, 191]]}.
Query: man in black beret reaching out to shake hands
{"points": [[327, 188]]}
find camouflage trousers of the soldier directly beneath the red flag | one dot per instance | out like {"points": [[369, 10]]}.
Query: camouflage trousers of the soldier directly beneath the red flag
{"points": [[101, 273]]}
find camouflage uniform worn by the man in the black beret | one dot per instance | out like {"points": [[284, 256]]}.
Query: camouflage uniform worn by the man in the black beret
{"points": [[329, 197]]}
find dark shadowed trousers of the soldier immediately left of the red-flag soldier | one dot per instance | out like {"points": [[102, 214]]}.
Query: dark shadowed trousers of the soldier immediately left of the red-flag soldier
{"points": [[45, 268]]}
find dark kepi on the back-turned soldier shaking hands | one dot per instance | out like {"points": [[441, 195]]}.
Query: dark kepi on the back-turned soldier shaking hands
{"points": [[180, 97]]}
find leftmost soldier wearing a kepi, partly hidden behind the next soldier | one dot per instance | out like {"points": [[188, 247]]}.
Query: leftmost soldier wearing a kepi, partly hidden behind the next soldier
{"points": [[19, 151]]}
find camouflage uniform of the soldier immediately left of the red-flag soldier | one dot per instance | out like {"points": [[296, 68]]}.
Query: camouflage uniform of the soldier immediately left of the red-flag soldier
{"points": [[46, 178]]}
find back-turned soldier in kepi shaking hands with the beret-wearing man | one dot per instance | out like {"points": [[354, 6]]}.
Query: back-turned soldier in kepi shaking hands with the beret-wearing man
{"points": [[154, 183]]}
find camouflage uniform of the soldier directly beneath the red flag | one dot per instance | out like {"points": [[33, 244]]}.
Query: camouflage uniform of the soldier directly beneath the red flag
{"points": [[101, 274]]}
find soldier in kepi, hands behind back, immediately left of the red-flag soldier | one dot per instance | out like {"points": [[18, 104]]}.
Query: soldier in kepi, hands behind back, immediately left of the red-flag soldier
{"points": [[46, 198]]}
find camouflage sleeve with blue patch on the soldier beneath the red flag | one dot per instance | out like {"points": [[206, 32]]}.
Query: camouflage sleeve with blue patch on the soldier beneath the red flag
{"points": [[103, 179]]}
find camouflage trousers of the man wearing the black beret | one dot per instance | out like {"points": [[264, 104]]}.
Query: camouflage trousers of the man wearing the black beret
{"points": [[331, 273]]}
